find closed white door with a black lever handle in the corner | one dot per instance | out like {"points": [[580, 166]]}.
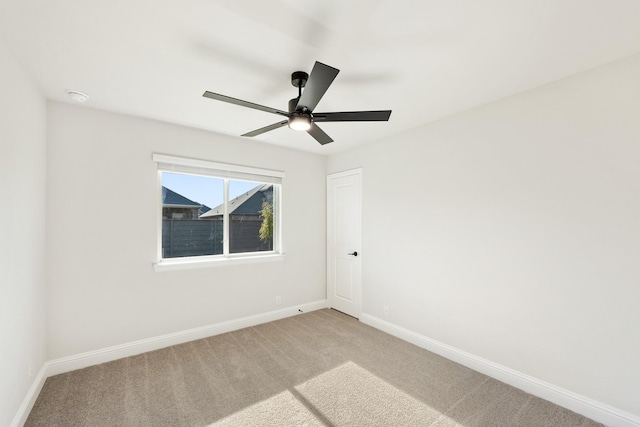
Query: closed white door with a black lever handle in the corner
{"points": [[344, 234]]}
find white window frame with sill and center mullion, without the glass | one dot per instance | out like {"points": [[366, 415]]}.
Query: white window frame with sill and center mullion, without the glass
{"points": [[168, 163]]}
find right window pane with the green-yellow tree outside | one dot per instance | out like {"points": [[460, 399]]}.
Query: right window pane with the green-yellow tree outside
{"points": [[250, 216]]}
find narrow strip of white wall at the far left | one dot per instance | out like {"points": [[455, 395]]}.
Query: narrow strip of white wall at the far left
{"points": [[22, 246]]}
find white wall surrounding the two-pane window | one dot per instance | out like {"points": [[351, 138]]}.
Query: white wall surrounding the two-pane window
{"points": [[101, 222]]}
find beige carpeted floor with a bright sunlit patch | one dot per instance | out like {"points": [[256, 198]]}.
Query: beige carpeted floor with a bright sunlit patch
{"points": [[321, 368]]}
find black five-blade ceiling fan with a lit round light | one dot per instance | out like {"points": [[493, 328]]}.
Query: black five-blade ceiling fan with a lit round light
{"points": [[300, 115]]}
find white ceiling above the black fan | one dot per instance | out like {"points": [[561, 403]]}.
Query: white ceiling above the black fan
{"points": [[424, 59]]}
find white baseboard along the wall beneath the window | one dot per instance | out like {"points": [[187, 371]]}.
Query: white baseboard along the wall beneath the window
{"points": [[96, 357]]}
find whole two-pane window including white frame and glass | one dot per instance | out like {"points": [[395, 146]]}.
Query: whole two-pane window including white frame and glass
{"points": [[212, 213]]}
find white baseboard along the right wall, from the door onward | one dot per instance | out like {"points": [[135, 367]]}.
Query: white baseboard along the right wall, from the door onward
{"points": [[590, 408]]}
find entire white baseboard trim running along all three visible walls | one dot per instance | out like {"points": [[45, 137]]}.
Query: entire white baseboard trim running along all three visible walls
{"points": [[593, 409]]}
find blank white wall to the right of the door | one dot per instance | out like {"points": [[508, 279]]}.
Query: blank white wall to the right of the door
{"points": [[512, 232]]}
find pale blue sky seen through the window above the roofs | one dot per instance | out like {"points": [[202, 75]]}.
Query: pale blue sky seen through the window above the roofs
{"points": [[203, 189]]}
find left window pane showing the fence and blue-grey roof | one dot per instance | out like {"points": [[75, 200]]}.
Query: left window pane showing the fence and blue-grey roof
{"points": [[192, 215]]}
